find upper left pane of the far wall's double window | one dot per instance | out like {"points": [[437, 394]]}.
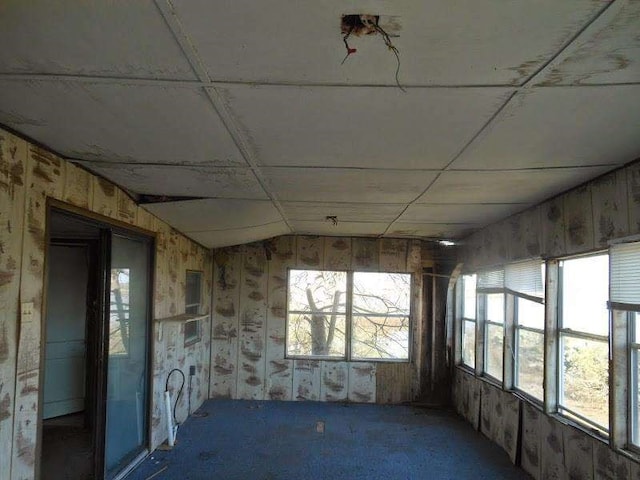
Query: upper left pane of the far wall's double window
{"points": [[318, 291]]}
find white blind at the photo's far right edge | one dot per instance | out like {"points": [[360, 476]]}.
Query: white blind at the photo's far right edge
{"points": [[624, 265]]}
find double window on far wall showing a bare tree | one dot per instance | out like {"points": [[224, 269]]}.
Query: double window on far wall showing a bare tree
{"points": [[348, 315]]}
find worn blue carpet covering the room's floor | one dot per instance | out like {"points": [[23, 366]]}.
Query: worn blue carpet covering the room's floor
{"points": [[280, 440]]}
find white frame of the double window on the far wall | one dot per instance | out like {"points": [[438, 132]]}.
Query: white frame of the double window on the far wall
{"points": [[348, 313]]}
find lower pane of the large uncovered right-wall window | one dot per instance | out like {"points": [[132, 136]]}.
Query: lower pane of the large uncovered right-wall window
{"points": [[585, 378]]}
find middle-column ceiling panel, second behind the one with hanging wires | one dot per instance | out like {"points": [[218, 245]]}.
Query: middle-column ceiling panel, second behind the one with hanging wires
{"points": [[347, 185]]}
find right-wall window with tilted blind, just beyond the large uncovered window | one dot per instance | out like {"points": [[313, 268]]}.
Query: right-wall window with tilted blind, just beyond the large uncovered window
{"points": [[525, 281]]}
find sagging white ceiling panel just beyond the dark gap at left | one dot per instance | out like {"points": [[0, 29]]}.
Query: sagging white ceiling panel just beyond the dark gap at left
{"points": [[218, 214]]}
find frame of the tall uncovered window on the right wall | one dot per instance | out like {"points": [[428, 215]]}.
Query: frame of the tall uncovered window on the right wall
{"points": [[560, 333]]}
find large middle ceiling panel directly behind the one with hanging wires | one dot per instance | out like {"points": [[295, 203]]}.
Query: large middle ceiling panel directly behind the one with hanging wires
{"points": [[364, 127]]}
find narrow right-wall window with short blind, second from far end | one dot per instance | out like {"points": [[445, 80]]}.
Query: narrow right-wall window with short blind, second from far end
{"points": [[490, 289]]}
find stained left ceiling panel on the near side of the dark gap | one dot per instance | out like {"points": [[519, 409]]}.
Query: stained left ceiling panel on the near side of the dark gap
{"points": [[189, 181]]}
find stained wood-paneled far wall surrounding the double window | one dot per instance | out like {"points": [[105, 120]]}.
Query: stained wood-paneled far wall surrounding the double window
{"points": [[248, 343]]}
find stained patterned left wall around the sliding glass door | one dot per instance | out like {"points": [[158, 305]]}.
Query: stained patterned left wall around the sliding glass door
{"points": [[29, 175]]}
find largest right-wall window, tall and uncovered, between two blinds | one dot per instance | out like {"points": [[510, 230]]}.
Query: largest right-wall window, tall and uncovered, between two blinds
{"points": [[583, 326]]}
